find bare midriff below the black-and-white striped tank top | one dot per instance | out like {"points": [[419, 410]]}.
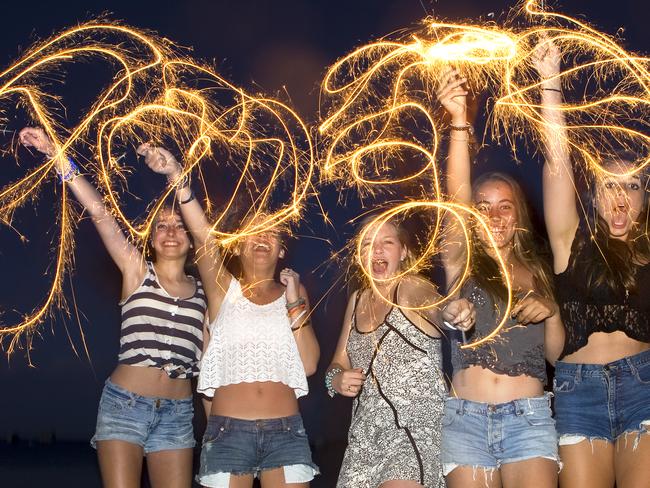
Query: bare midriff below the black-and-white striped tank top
{"points": [[151, 382]]}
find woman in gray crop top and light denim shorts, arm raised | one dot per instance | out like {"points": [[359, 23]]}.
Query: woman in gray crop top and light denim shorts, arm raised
{"points": [[497, 418]]}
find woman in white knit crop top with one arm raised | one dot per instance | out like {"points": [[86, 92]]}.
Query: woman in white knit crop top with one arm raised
{"points": [[261, 348]]}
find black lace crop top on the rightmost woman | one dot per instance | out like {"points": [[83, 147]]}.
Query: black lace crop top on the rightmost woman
{"points": [[585, 311]]}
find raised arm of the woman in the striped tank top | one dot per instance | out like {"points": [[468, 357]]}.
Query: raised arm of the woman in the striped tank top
{"points": [[126, 256]]}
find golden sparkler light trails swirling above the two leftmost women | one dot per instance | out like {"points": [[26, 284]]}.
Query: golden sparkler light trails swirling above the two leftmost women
{"points": [[157, 94]]}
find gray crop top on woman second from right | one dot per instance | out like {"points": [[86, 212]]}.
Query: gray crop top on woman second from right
{"points": [[516, 350]]}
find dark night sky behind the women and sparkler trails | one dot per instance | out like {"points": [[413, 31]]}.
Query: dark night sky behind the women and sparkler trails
{"points": [[280, 47]]}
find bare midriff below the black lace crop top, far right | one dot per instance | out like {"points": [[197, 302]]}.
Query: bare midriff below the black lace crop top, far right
{"points": [[606, 347]]}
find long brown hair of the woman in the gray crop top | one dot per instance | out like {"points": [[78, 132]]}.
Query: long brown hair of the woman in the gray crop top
{"points": [[485, 270]]}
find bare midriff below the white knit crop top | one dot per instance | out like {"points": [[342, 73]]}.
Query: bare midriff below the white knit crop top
{"points": [[253, 401]]}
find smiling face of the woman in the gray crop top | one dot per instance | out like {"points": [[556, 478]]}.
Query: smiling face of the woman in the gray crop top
{"points": [[496, 201]]}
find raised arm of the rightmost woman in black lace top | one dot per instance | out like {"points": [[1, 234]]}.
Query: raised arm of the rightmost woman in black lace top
{"points": [[560, 206]]}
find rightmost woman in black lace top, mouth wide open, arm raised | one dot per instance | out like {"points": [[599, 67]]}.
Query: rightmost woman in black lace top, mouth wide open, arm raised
{"points": [[602, 384]]}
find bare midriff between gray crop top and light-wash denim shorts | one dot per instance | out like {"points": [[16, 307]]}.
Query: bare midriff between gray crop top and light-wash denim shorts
{"points": [[478, 384]]}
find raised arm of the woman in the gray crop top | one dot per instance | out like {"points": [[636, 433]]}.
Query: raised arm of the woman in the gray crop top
{"points": [[453, 97]]}
